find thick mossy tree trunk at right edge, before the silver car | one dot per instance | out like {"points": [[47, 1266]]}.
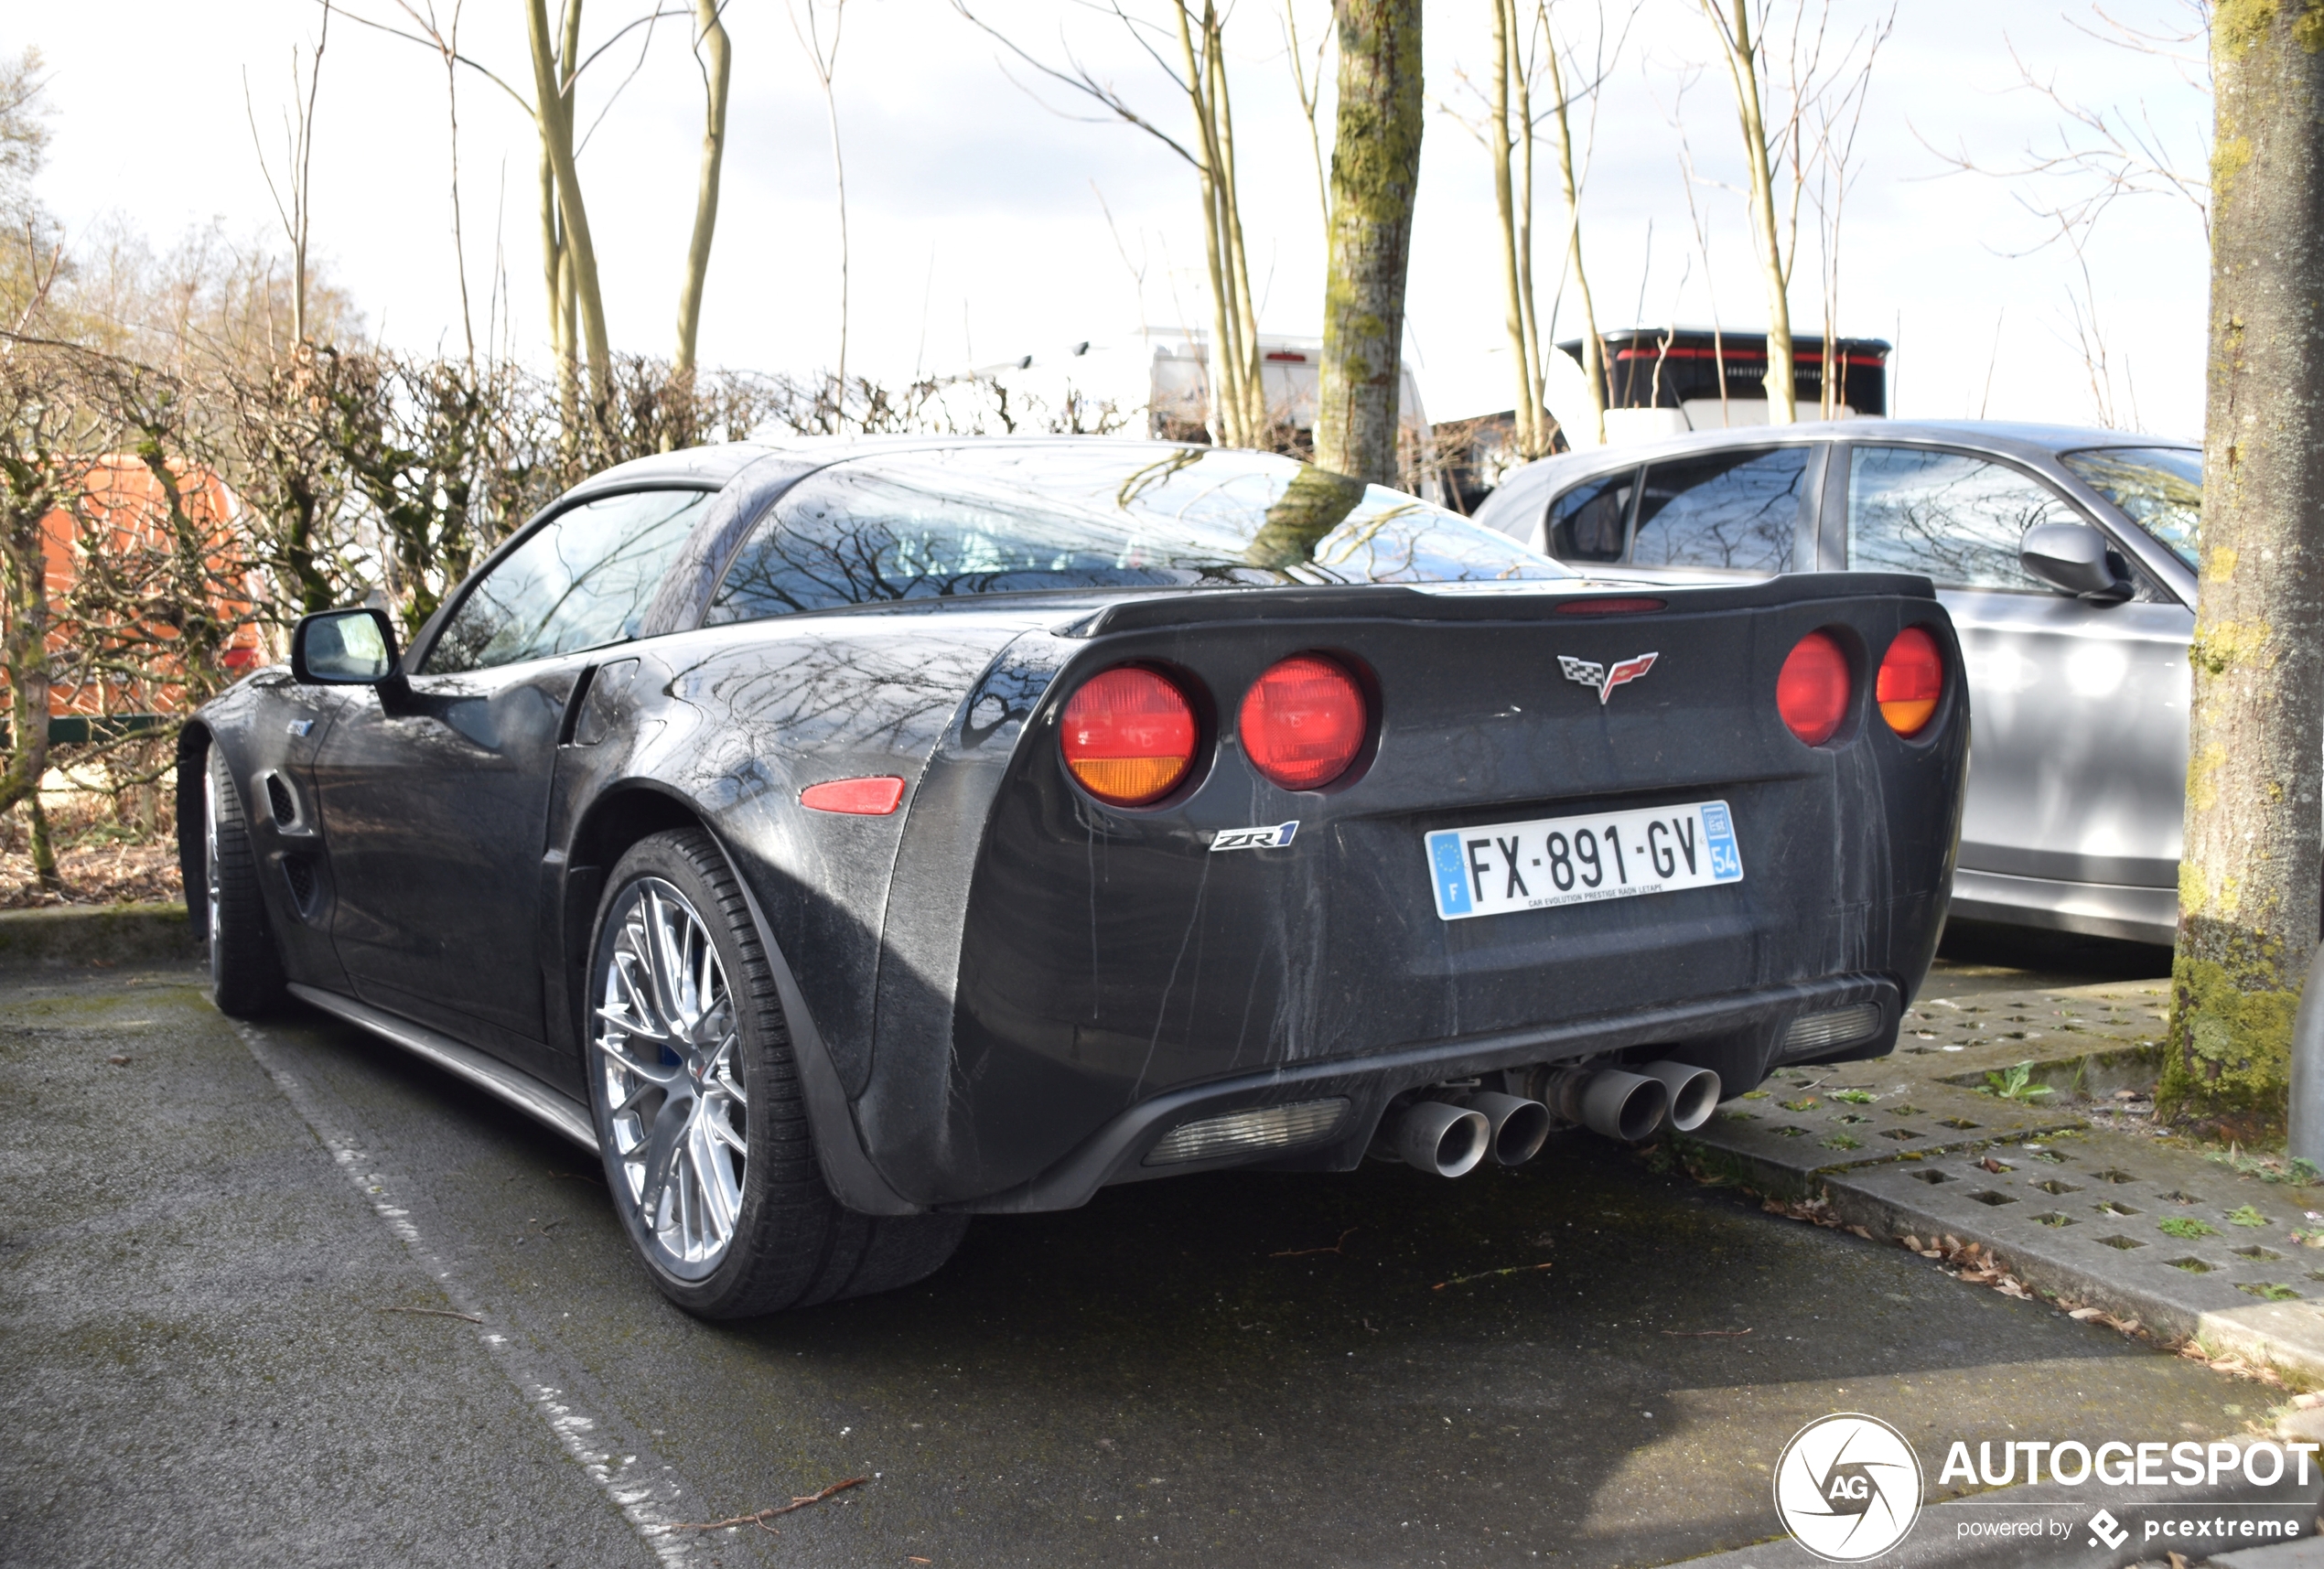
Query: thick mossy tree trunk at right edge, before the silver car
{"points": [[2255, 747]]}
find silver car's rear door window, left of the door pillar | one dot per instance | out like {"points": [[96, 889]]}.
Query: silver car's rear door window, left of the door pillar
{"points": [[1730, 510]]}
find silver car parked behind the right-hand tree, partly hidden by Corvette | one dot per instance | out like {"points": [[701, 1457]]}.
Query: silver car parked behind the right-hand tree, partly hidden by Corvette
{"points": [[2067, 561]]}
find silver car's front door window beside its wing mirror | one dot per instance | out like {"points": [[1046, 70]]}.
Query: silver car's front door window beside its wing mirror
{"points": [[1946, 515]]}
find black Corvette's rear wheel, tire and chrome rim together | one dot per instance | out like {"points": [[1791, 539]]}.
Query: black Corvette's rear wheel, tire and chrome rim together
{"points": [[698, 1105]]}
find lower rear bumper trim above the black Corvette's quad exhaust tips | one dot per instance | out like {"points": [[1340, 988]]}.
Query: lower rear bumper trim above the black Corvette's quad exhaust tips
{"points": [[1114, 1154]]}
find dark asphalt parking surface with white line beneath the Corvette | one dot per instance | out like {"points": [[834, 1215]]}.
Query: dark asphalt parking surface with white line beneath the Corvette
{"points": [[285, 1296]]}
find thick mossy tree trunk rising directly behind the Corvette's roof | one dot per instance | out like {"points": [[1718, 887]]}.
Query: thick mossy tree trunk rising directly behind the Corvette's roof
{"points": [[1375, 175]]}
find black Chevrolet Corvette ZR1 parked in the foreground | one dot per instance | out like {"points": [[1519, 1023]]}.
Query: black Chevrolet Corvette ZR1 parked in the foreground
{"points": [[852, 840]]}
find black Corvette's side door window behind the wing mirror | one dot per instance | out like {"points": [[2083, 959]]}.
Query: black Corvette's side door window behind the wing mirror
{"points": [[580, 582]]}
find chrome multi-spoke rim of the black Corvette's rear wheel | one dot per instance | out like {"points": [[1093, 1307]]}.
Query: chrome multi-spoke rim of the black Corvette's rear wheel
{"points": [[666, 1052]]}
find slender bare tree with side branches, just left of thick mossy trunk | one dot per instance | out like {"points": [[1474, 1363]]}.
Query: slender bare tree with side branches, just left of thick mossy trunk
{"points": [[1200, 73]]}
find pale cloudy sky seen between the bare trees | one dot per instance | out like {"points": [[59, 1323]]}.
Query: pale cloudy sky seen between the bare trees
{"points": [[980, 227]]}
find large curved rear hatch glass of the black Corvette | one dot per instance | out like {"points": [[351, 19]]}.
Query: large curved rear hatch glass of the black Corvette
{"points": [[1014, 520]]}
